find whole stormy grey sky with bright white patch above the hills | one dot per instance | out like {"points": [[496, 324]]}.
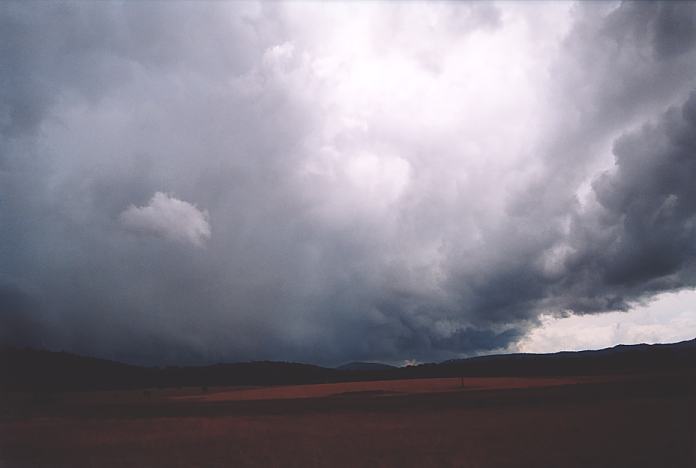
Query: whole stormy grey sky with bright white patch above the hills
{"points": [[187, 183]]}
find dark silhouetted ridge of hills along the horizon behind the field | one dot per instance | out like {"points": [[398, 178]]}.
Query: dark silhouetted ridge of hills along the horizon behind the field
{"points": [[30, 369]]}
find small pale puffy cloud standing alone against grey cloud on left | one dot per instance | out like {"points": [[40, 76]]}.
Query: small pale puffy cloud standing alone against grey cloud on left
{"points": [[170, 218]]}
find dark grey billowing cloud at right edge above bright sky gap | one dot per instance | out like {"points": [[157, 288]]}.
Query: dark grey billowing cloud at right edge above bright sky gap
{"points": [[639, 237]]}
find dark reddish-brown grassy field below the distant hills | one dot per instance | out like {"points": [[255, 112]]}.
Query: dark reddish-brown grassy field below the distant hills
{"points": [[611, 421]]}
